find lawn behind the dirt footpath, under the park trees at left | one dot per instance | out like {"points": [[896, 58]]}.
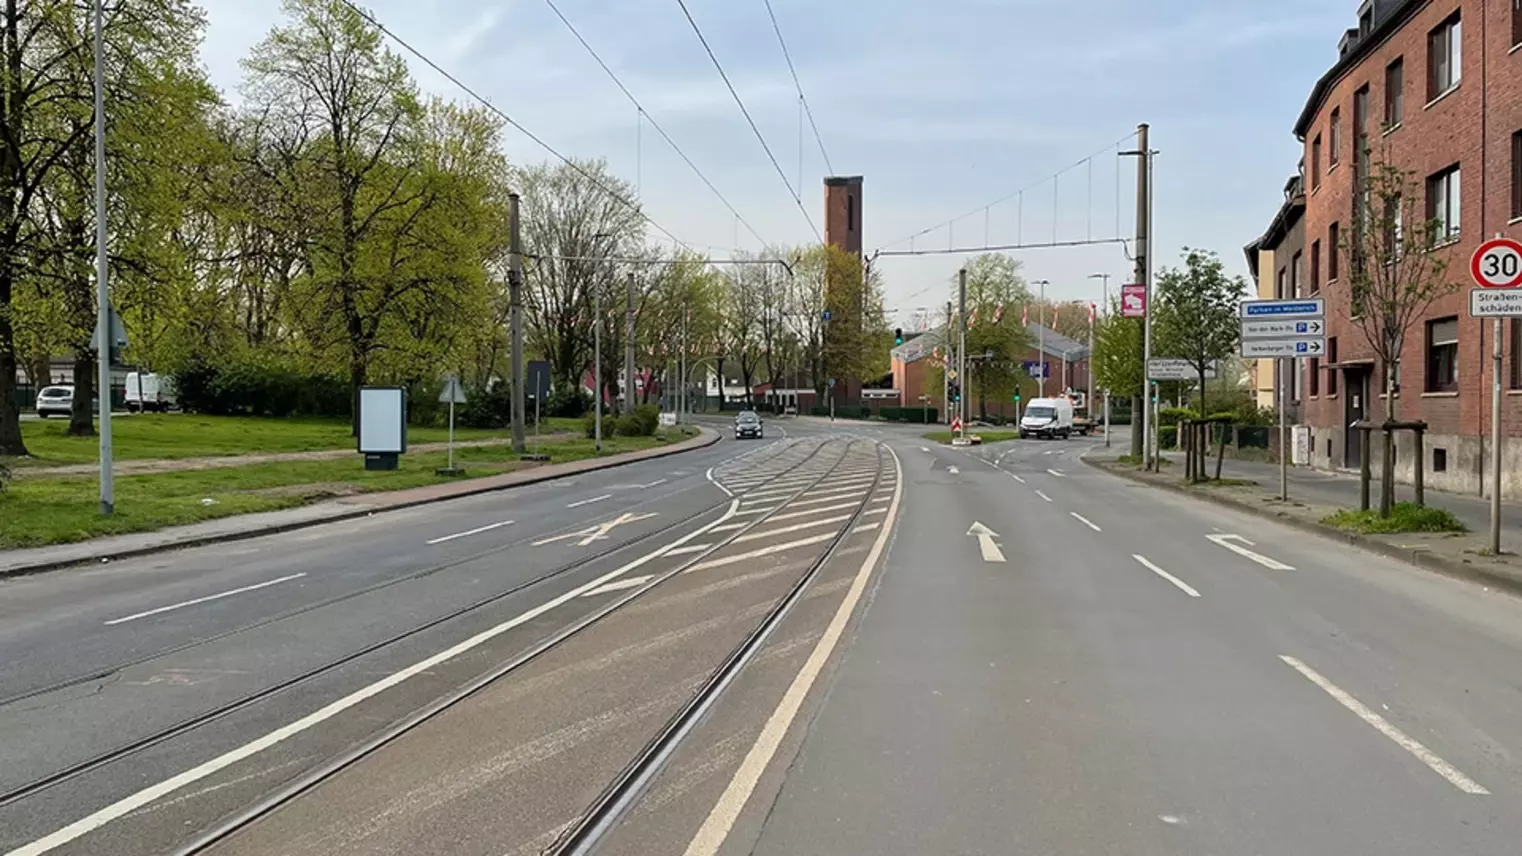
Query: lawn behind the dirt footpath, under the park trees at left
{"points": [[186, 435]]}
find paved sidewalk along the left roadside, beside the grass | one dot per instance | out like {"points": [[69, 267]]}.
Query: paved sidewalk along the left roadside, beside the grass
{"points": [[34, 560]]}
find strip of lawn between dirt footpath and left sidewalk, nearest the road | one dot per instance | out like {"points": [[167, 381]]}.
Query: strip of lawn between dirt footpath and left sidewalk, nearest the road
{"points": [[62, 509]]}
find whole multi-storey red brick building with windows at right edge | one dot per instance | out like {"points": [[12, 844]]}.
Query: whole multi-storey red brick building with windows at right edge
{"points": [[1434, 88]]}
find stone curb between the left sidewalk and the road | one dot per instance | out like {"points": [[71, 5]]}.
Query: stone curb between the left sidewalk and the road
{"points": [[708, 438]]}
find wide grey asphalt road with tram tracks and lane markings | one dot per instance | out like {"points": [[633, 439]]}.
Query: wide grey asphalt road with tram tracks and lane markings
{"points": [[1045, 660]]}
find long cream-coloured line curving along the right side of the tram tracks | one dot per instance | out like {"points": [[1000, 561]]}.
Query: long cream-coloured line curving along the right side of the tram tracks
{"points": [[722, 819]]}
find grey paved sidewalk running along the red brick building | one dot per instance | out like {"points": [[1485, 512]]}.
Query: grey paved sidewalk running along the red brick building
{"points": [[1322, 488]]}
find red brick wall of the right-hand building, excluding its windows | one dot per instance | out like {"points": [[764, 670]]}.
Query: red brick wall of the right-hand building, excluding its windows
{"points": [[1469, 126]]}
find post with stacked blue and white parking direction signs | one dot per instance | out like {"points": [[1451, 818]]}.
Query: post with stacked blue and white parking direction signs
{"points": [[1284, 331]]}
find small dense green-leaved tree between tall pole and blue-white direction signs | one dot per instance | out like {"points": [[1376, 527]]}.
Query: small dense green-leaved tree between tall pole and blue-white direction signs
{"points": [[1197, 315]]}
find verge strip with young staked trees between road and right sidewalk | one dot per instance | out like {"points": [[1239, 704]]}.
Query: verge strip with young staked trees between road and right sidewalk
{"points": [[1454, 554]]}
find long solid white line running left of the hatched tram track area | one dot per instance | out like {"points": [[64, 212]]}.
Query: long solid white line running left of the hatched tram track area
{"points": [[174, 784]]}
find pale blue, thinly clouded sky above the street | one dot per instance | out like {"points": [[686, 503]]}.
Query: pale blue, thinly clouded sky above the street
{"points": [[944, 110]]}
